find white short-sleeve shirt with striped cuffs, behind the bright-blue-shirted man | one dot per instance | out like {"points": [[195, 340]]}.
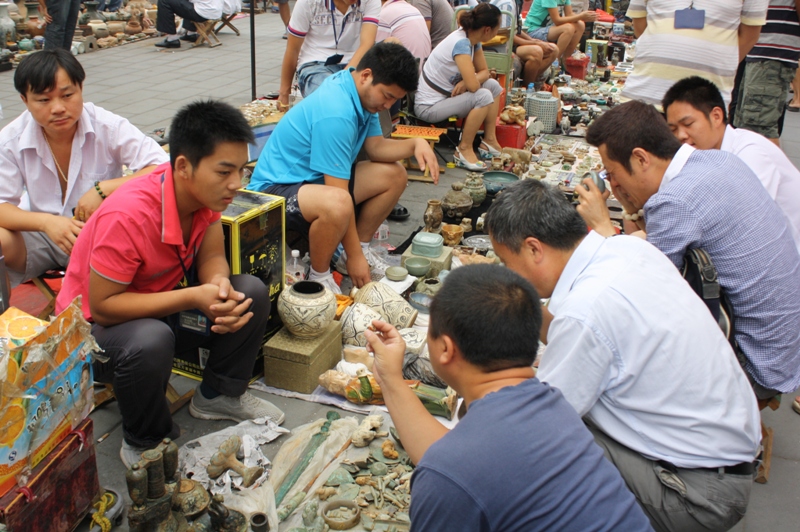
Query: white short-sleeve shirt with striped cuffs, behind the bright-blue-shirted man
{"points": [[326, 31]]}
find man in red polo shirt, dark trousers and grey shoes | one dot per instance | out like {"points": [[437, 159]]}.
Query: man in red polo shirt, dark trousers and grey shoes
{"points": [[127, 264]]}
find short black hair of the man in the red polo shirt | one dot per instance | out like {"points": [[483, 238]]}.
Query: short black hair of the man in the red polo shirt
{"points": [[199, 127]]}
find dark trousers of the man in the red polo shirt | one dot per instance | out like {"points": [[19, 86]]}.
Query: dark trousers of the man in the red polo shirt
{"points": [[139, 365]]}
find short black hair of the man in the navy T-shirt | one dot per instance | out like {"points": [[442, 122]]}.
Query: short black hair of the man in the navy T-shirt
{"points": [[492, 314]]}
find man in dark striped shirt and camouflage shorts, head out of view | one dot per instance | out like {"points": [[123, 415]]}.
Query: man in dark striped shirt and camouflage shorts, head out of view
{"points": [[770, 68]]}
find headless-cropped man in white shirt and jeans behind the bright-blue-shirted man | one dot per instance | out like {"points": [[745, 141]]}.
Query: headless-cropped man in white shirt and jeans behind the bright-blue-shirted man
{"points": [[325, 36]]}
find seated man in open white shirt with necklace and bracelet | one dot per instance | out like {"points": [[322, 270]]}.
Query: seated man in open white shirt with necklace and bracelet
{"points": [[65, 156]]}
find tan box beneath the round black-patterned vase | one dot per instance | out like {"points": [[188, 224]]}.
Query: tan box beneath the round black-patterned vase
{"points": [[295, 364]]}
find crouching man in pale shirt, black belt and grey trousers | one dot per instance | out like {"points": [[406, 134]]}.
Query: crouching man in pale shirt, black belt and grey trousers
{"points": [[638, 355]]}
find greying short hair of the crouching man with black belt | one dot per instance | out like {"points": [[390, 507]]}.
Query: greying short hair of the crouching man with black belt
{"points": [[530, 208]]}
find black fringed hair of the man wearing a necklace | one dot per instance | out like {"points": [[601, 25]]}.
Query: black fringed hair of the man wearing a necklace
{"points": [[37, 72]]}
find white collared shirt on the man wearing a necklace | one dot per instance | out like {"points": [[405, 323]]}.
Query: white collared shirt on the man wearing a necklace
{"points": [[103, 143]]}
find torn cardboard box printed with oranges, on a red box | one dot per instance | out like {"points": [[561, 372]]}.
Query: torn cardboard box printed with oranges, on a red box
{"points": [[46, 386]]}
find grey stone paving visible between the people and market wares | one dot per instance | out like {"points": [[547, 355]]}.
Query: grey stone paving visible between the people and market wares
{"points": [[148, 86]]}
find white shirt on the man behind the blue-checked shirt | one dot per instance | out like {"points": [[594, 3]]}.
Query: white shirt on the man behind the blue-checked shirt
{"points": [[777, 173]]}
